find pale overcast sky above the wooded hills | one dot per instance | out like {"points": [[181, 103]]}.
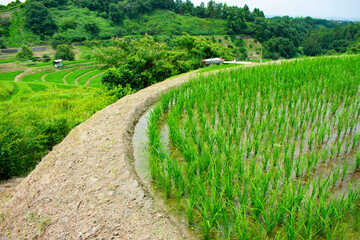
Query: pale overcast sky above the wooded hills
{"points": [[330, 9]]}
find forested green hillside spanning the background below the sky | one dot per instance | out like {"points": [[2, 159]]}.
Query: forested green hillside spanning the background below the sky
{"points": [[64, 21]]}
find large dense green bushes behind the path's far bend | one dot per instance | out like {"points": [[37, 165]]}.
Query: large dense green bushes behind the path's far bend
{"points": [[143, 62]]}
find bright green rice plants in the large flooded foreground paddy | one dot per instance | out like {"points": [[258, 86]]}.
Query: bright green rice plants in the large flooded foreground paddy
{"points": [[263, 152]]}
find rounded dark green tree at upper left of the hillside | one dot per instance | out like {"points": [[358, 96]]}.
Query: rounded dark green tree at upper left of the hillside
{"points": [[38, 19]]}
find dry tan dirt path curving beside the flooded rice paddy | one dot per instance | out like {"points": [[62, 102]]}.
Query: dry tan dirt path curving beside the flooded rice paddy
{"points": [[87, 188]]}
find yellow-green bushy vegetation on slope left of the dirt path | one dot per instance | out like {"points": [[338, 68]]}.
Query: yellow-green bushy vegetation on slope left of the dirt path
{"points": [[32, 123]]}
